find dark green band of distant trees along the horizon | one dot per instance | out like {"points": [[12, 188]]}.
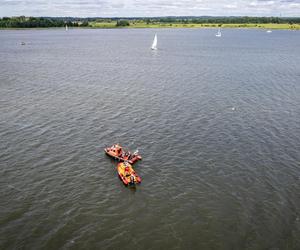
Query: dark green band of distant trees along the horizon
{"points": [[44, 22]]}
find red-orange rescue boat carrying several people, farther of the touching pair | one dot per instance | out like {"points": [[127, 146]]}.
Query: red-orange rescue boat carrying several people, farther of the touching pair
{"points": [[118, 153]]}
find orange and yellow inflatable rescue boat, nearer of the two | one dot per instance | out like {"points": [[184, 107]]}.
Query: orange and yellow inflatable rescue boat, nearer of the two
{"points": [[127, 174]]}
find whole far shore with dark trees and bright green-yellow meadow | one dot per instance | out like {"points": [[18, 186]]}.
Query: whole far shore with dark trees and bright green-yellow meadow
{"points": [[23, 22]]}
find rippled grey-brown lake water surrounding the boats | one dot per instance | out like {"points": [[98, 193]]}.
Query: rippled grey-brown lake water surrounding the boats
{"points": [[217, 121]]}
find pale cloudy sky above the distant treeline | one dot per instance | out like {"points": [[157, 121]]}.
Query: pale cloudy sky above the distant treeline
{"points": [[127, 8]]}
